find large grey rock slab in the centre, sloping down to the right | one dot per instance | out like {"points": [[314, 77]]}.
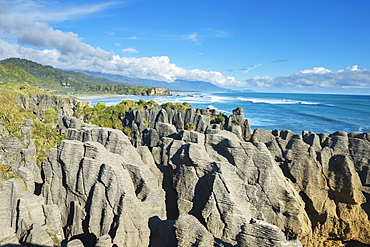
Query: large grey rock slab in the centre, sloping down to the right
{"points": [[226, 181]]}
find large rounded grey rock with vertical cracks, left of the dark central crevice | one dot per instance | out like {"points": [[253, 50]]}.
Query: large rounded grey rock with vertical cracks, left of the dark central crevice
{"points": [[102, 192]]}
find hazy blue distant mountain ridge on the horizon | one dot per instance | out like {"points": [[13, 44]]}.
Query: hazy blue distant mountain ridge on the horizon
{"points": [[178, 85]]}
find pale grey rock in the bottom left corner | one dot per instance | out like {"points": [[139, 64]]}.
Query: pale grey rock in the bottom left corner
{"points": [[25, 218]]}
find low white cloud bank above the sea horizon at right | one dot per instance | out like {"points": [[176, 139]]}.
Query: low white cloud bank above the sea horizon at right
{"points": [[318, 77]]}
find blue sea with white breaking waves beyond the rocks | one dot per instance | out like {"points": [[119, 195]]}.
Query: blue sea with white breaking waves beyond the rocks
{"points": [[313, 112]]}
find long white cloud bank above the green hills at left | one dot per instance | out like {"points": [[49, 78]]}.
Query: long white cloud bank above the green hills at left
{"points": [[66, 50]]}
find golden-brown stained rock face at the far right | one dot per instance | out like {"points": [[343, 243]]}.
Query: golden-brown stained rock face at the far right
{"points": [[329, 172]]}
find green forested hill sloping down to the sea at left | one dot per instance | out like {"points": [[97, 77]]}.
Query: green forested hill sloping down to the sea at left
{"points": [[15, 70]]}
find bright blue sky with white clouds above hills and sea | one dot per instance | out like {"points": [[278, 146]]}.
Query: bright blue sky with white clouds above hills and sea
{"points": [[300, 46]]}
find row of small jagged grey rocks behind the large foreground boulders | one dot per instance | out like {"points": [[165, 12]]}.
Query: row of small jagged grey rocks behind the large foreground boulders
{"points": [[149, 125]]}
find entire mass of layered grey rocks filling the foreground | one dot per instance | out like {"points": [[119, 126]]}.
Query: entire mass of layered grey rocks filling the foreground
{"points": [[183, 177]]}
